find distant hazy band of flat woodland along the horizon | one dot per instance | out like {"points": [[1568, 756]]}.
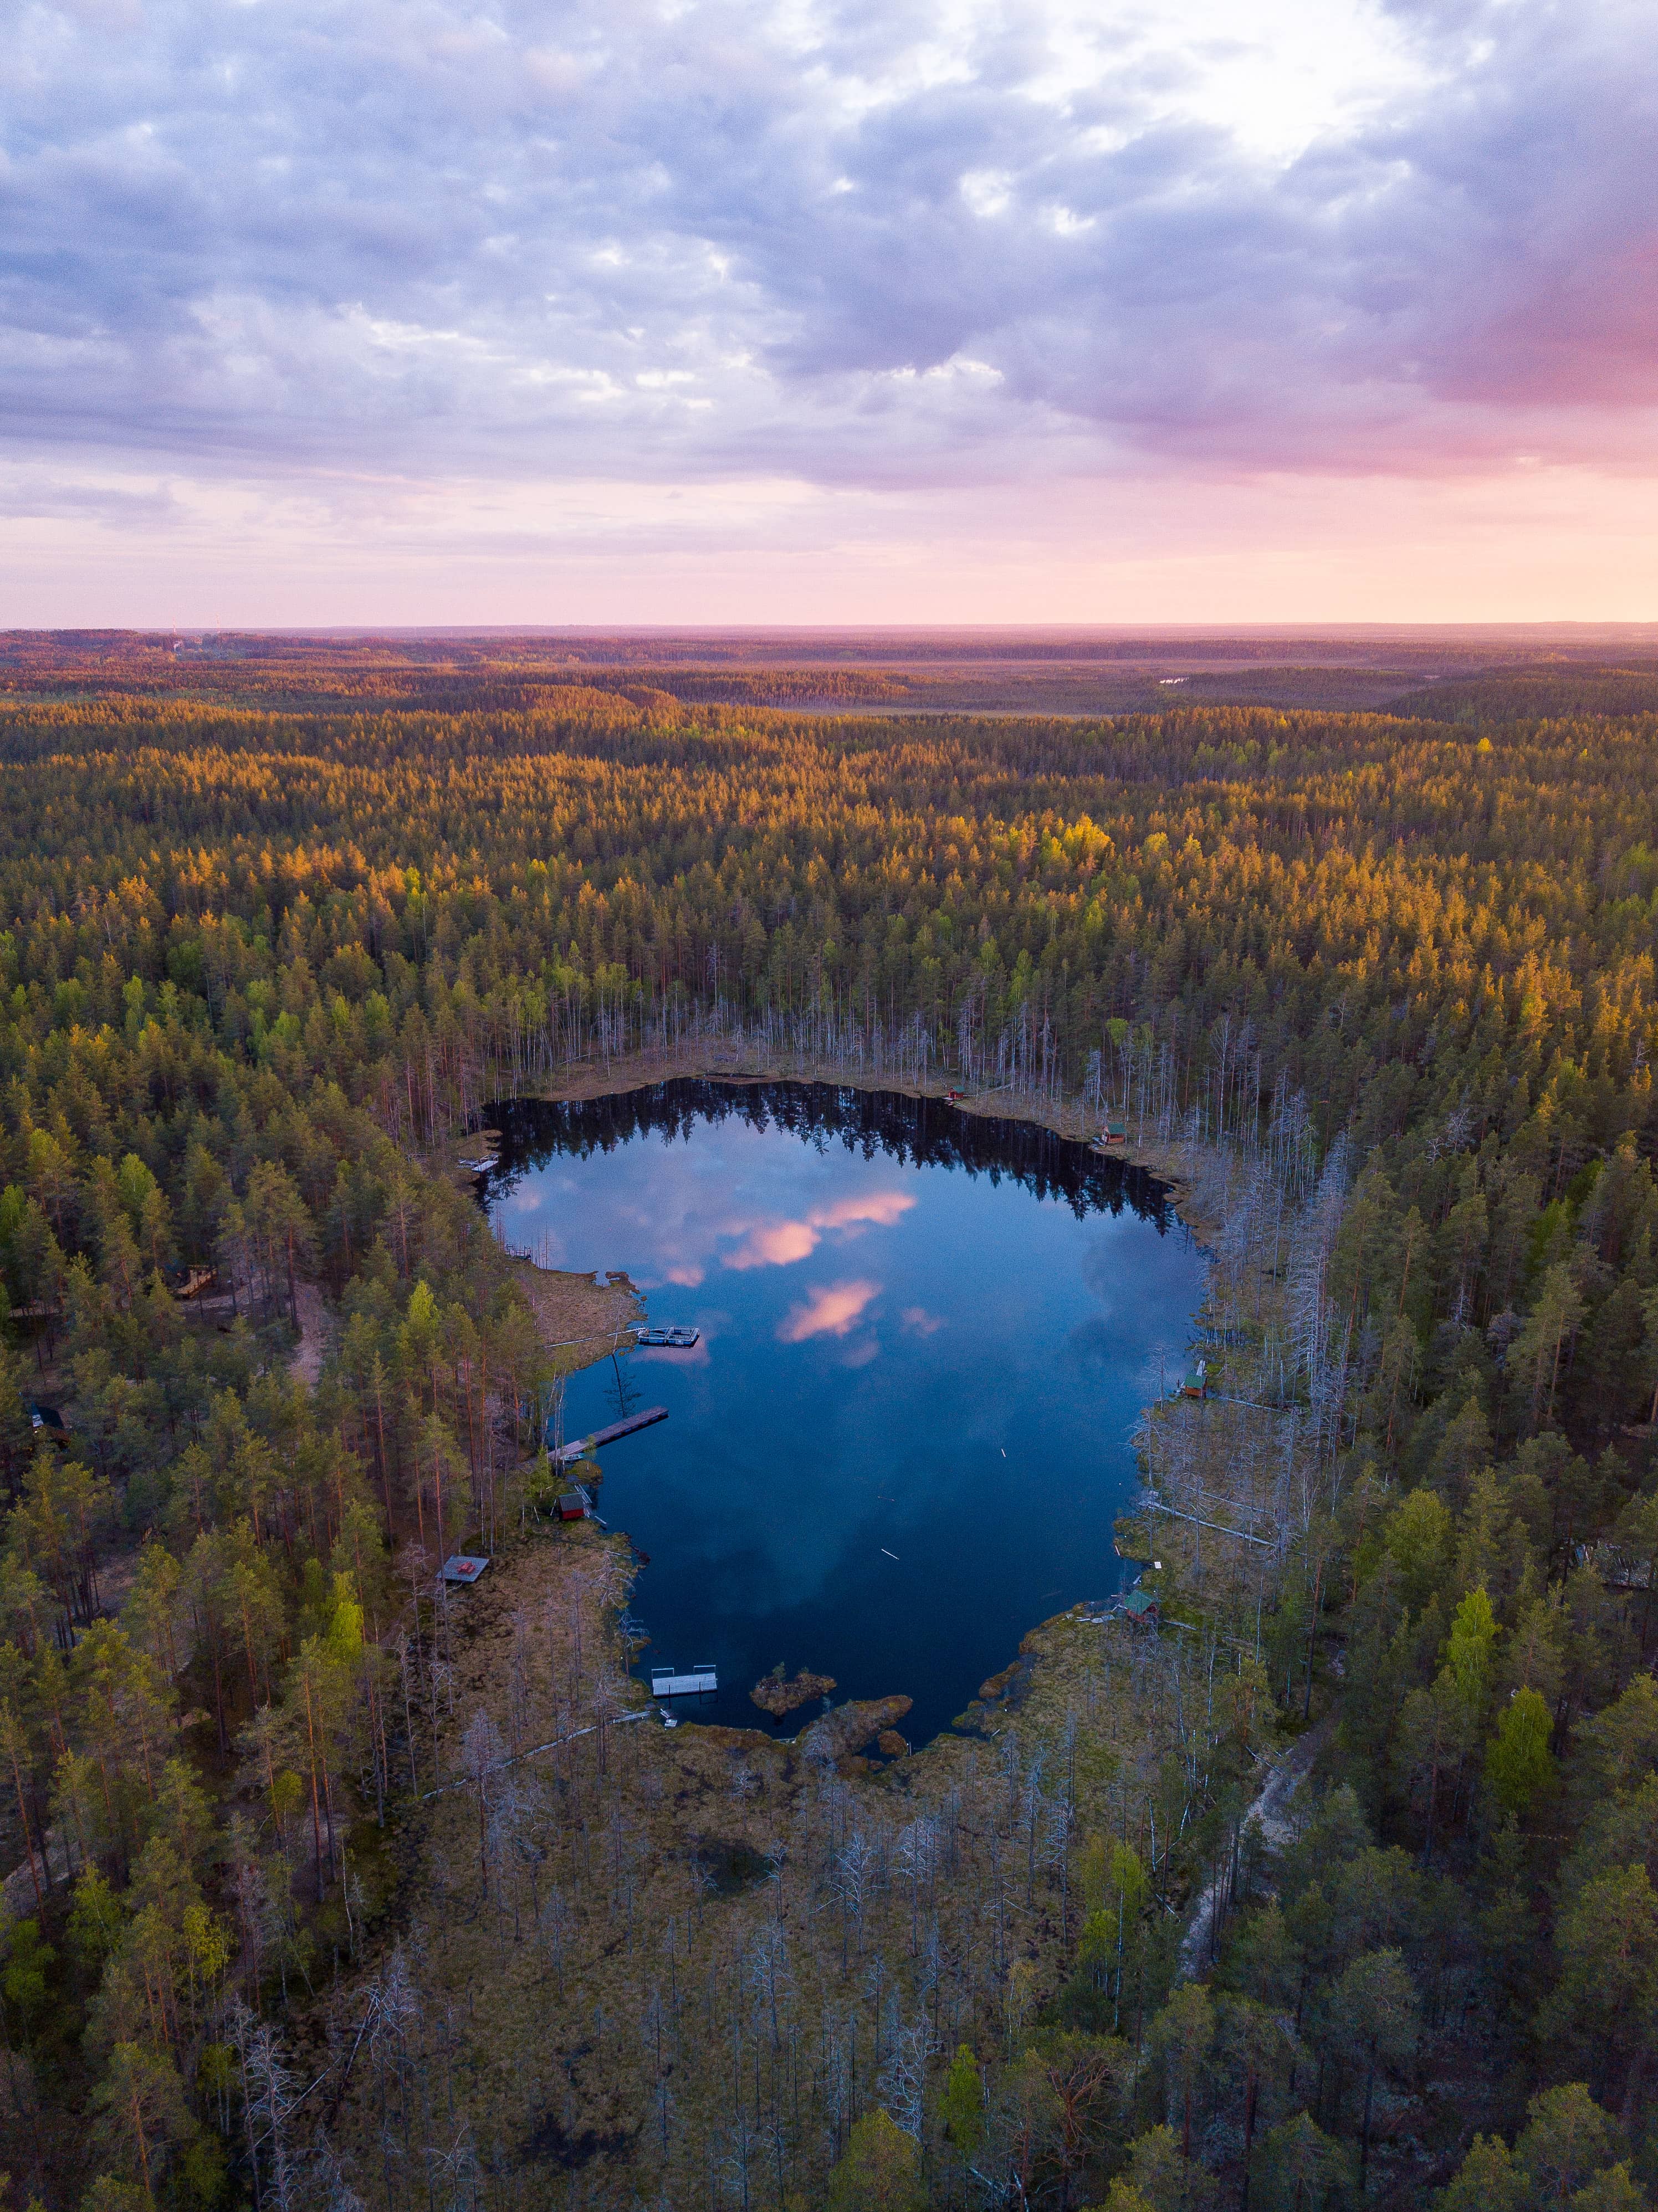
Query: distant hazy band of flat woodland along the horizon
{"points": [[920, 671]]}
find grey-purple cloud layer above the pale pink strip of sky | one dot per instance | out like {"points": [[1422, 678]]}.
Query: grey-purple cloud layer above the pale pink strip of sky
{"points": [[864, 242]]}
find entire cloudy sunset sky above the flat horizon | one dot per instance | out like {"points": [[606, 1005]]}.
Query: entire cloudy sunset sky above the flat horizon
{"points": [[829, 311]]}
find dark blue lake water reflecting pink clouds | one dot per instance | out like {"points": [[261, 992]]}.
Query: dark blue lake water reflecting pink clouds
{"points": [[926, 1337]]}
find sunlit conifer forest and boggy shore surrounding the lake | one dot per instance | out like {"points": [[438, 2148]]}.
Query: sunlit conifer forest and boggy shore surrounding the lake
{"points": [[1378, 988]]}
